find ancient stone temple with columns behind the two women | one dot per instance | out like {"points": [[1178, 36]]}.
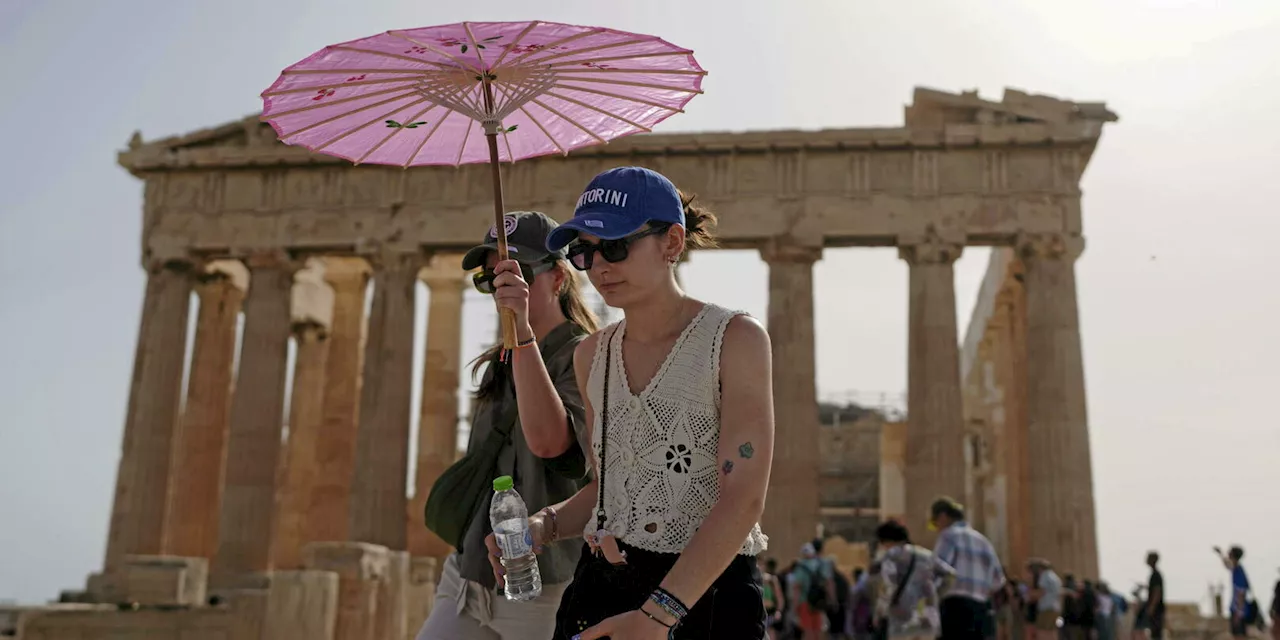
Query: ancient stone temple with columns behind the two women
{"points": [[234, 522]]}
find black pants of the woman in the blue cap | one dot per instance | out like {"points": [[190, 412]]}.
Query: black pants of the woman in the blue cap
{"points": [[732, 610]]}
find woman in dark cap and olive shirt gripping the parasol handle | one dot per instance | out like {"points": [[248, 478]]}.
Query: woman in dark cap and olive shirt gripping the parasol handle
{"points": [[532, 395]]}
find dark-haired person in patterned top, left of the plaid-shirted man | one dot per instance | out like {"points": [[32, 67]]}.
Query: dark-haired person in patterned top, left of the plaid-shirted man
{"points": [[911, 578]]}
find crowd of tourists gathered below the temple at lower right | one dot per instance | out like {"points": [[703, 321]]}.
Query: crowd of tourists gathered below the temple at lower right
{"points": [[959, 591]]}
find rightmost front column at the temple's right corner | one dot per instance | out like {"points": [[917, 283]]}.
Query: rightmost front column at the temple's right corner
{"points": [[1062, 514]]}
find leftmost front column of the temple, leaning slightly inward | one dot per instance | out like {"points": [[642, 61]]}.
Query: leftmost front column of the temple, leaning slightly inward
{"points": [[144, 474]]}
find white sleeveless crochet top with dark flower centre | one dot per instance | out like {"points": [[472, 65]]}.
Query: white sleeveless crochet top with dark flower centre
{"points": [[662, 477]]}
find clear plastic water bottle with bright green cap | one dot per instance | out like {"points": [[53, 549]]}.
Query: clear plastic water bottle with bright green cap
{"points": [[510, 520]]}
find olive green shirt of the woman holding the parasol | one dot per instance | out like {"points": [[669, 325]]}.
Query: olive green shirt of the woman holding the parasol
{"points": [[540, 482]]}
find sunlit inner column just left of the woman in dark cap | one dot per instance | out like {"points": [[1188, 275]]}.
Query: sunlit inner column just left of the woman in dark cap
{"points": [[438, 424]]}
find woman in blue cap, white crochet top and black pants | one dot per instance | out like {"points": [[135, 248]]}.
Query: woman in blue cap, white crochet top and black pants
{"points": [[679, 396]]}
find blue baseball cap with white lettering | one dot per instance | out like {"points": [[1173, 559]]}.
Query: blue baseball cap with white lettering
{"points": [[618, 204]]}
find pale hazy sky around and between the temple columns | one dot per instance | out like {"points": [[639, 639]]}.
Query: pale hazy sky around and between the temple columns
{"points": [[1180, 284]]}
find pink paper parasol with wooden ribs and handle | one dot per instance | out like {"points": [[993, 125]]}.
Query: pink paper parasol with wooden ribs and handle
{"points": [[479, 92]]}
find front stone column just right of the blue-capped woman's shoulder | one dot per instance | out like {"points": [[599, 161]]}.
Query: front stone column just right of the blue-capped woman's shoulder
{"points": [[792, 509]]}
